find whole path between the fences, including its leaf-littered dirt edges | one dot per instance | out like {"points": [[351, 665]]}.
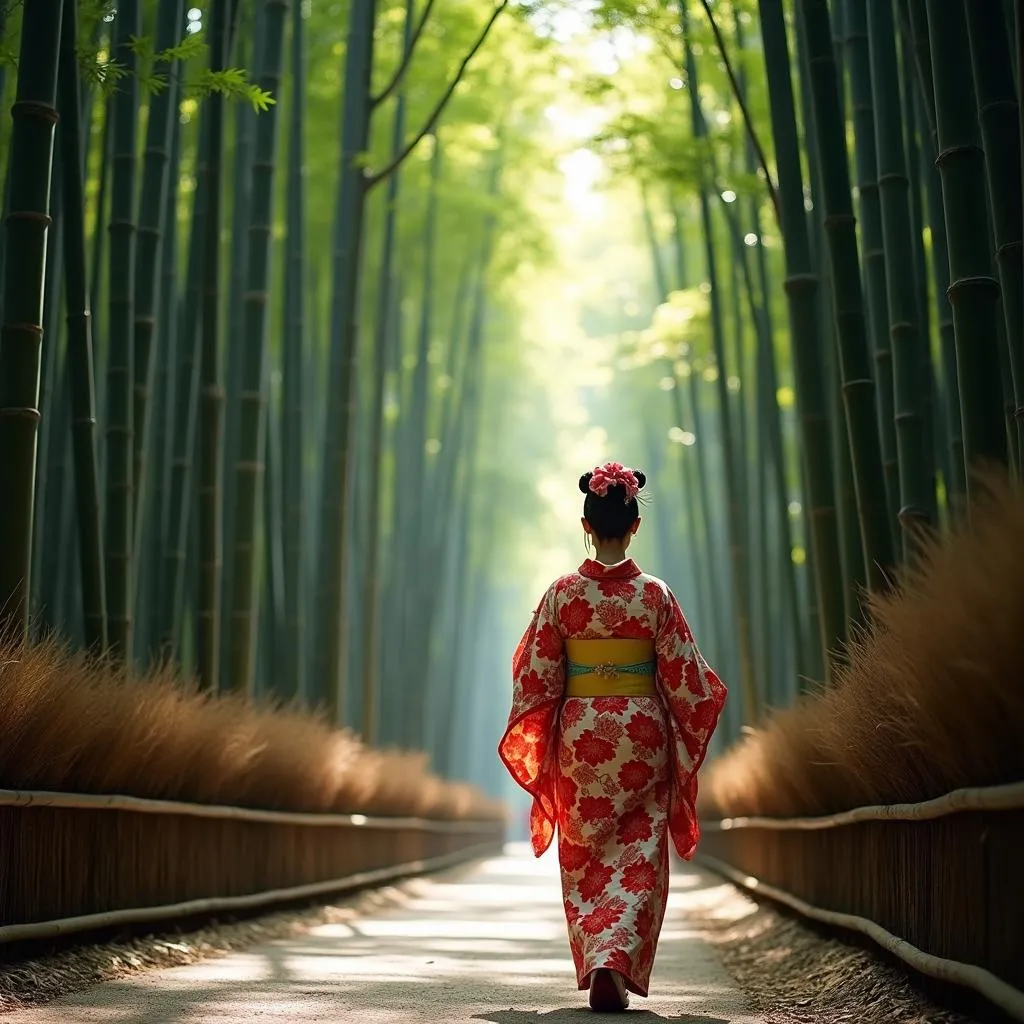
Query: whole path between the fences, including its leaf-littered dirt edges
{"points": [[481, 944]]}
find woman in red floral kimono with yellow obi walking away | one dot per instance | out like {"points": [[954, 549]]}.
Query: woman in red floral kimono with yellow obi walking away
{"points": [[612, 713]]}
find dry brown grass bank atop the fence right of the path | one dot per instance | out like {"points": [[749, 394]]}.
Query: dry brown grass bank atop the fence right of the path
{"points": [[932, 700]]}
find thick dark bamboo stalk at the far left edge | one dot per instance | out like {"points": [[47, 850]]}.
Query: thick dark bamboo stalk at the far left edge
{"points": [[27, 223]]}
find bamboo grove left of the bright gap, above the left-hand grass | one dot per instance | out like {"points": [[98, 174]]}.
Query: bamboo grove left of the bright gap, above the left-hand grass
{"points": [[248, 441]]}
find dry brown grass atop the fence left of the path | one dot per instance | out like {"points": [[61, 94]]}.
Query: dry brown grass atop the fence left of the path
{"points": [[70, 724]]}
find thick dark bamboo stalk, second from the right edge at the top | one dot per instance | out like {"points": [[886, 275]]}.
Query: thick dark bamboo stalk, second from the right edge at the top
{"points": [[974, 294]]}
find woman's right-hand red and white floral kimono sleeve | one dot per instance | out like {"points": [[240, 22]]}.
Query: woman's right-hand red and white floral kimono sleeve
{"points": [[695, 698]]}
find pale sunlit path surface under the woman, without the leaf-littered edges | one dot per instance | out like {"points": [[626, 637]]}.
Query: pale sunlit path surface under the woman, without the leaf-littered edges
{"points": [[486, 943]]}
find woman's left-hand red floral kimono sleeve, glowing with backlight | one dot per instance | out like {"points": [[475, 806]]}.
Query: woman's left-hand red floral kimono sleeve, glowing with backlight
{"points": [[529, 746]]}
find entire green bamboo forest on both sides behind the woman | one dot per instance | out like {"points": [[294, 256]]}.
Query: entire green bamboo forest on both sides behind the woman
{"points": [[264, 356]]}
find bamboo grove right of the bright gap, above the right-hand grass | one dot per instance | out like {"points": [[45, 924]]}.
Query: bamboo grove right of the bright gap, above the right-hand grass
{"points": [[831, 198]]}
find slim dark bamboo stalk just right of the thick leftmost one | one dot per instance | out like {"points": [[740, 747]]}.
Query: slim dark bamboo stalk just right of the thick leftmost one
{"points": [[80, 346]]}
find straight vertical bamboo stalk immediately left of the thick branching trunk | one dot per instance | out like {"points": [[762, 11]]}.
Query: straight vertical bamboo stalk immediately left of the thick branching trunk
{"points": [[293, 679]]}
